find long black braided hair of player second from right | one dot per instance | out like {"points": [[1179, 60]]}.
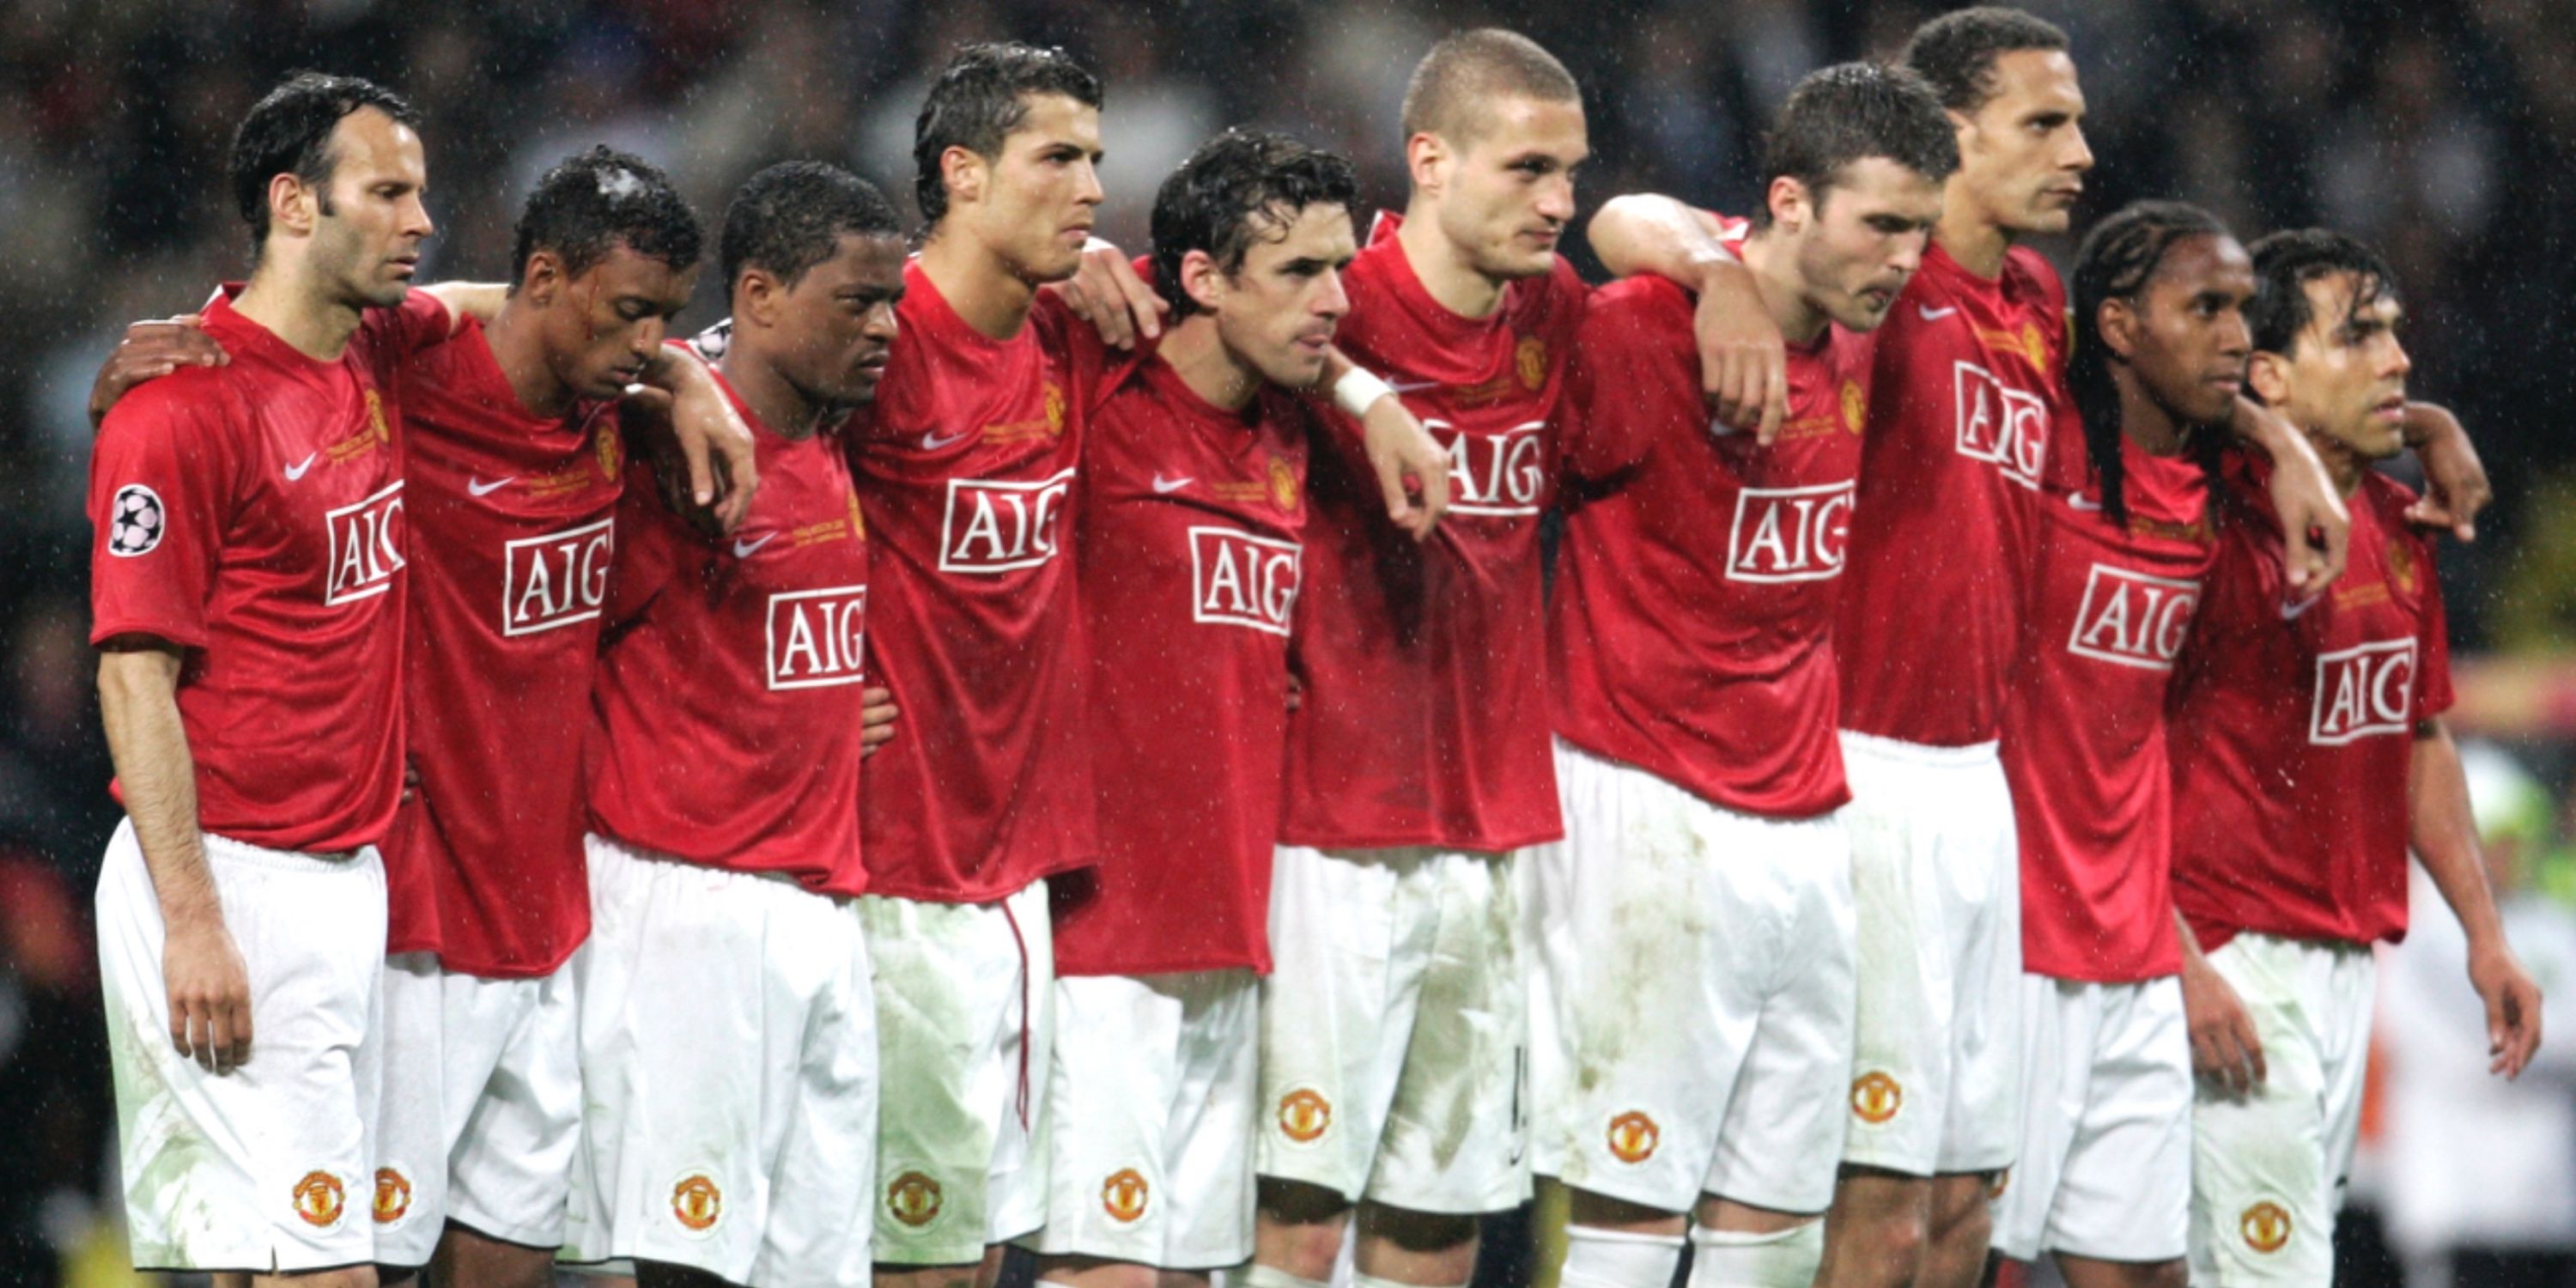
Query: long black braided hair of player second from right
{"points": [[2116, 261]]}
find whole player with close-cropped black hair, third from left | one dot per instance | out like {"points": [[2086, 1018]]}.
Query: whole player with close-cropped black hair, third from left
{"points": [[728, 1016]]}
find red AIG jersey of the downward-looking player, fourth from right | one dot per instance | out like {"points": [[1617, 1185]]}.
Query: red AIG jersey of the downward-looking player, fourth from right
{"points": [[1694, 630]]}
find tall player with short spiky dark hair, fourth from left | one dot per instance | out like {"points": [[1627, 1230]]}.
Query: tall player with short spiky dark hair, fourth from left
{"points": [[970, 460]]}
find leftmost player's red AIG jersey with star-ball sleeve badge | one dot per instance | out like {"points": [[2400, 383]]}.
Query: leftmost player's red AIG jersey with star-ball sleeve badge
{"points": [[254, 514]]}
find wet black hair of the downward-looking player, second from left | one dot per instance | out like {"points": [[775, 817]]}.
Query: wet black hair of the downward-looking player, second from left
{"points": [[599, 202]]}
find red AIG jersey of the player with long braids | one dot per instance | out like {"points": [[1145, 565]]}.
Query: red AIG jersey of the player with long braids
{"points": [[2085, 723]]}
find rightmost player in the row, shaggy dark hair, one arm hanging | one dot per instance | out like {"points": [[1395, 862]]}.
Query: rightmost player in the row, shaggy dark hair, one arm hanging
{"points": [[2309, 756]]}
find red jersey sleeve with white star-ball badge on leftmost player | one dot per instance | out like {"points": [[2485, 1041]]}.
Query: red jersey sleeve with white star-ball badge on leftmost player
{"points": [[164, 486]]}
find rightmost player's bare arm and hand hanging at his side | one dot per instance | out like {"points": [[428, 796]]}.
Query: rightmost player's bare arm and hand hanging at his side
{"points": [[2446, 838]]}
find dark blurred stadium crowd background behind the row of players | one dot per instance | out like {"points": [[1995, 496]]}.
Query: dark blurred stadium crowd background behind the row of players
{"points": [[2443, 130]]}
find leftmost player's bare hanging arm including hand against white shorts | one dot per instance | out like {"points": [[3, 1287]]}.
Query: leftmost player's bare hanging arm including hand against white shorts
{"points": [[202, 970]]}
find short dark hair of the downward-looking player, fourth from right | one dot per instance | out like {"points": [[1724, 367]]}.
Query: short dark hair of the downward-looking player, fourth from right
{"points": [[1853, 112]]}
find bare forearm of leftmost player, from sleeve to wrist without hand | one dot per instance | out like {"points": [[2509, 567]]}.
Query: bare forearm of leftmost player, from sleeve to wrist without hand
{"points": [[138, 705]]}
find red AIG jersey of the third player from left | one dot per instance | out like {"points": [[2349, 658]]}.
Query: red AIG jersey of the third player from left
{"points": [[728, 702]]}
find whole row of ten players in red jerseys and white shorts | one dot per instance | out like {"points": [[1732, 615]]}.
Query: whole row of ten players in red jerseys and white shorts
{"points": [[1114, 923]]}
